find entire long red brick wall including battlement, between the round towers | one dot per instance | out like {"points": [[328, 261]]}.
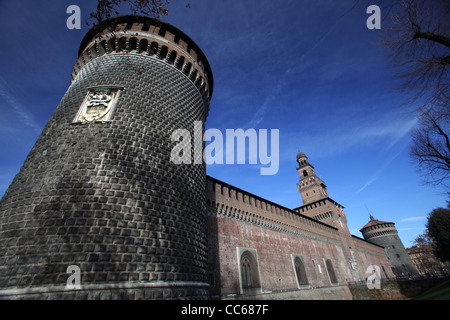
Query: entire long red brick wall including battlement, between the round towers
{"points": [[240, 221]]}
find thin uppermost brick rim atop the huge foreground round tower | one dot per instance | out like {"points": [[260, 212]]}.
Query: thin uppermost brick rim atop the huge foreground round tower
{"points": [[99, 28]]}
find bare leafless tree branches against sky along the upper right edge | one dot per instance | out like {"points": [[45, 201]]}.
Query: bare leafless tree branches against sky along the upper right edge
{"points": [[418, 37]]}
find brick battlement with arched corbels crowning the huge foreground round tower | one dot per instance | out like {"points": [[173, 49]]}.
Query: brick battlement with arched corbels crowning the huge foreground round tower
{"points": [[138, 35]]}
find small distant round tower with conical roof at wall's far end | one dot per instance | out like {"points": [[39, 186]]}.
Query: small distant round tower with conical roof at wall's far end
{"points": [[385, 234]]}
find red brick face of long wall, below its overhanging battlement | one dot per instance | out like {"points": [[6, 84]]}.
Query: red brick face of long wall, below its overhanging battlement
{"points": [[275, 251]]}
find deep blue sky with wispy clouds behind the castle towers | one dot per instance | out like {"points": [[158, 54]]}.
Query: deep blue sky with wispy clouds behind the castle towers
{"points": [[311, 69]]}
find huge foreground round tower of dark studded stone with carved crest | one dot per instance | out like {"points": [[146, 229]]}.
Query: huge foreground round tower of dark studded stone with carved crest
{"points": [[98, 191]]}
